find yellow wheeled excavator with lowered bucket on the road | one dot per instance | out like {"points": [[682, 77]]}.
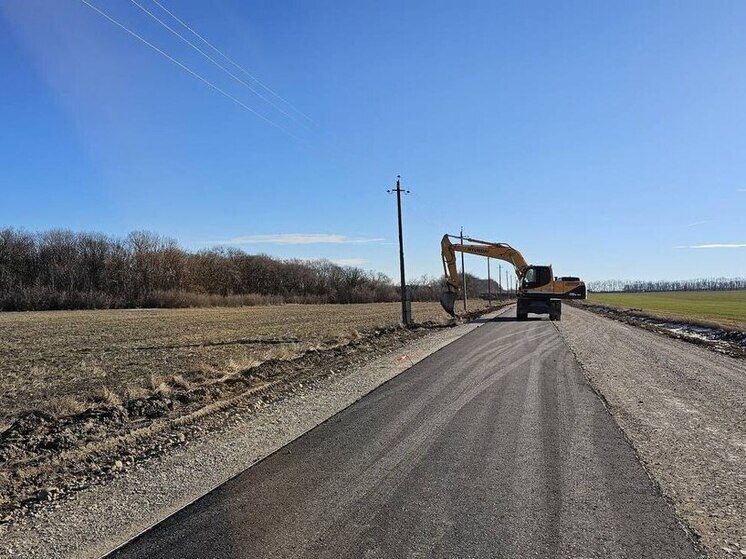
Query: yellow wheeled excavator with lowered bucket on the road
{"points": [[539, 291]]}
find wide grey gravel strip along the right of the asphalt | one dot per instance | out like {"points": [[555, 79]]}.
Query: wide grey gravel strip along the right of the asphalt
{"points": [[683, 408]]}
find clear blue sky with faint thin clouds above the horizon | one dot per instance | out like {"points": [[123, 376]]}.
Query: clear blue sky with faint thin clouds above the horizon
{"points": [[603, 138]]}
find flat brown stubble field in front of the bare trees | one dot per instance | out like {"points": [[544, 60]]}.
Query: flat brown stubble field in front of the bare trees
{"points": [[66, 358]]}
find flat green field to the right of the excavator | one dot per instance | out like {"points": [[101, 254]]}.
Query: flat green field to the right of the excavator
{"points": [[722, 308]]}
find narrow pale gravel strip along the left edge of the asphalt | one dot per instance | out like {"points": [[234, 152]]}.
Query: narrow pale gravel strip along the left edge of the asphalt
{"points": [[94, 521]]}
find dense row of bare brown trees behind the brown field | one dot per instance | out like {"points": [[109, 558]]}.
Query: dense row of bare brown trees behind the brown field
{"points": [[62, 269]]}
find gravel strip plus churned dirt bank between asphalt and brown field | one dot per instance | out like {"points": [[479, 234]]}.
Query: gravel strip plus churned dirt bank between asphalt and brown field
{"points": [[145, 476]]}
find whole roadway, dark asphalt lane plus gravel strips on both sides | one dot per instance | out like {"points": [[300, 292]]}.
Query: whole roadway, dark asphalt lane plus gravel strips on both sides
{"points": [[585, 438]]}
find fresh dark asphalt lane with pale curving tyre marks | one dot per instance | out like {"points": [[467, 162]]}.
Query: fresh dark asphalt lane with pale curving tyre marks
{"points": [[494, 446]]}
